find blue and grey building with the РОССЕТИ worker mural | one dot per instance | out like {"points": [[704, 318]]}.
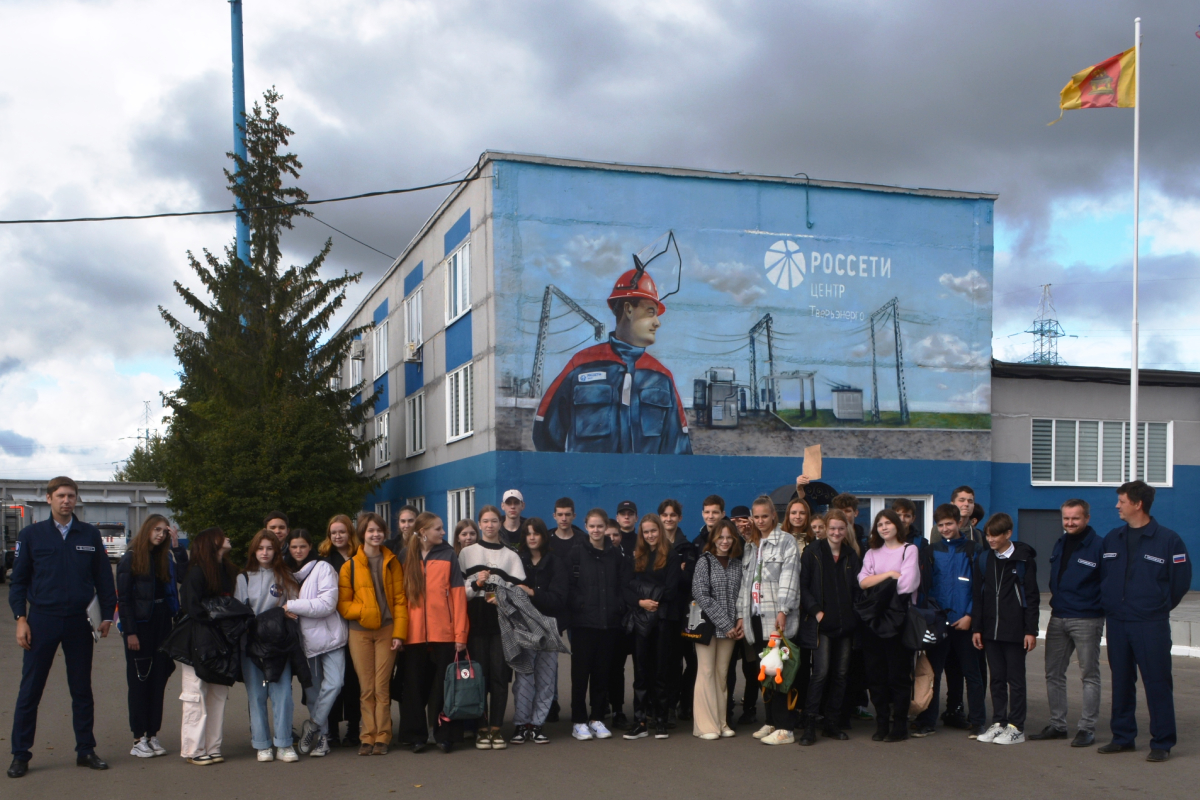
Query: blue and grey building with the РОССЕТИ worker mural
{"points": [[614, 332]]}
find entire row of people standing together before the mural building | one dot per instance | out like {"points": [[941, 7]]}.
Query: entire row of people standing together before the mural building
{"points": [[367, 617]]}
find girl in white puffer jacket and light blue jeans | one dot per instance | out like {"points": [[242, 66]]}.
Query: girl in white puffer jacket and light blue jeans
{"points": [[325, 635]]}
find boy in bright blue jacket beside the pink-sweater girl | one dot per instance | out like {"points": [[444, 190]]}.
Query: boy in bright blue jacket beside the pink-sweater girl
{"points": [[949, 579]]}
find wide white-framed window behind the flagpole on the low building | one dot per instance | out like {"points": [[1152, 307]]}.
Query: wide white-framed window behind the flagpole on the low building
{"points": [[1095, 453]]}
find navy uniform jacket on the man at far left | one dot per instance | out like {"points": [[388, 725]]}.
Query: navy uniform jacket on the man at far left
{"points": [[58, 576]]}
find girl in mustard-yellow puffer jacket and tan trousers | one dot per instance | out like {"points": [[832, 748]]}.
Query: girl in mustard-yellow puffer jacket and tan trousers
{"points": [[371, 598]]}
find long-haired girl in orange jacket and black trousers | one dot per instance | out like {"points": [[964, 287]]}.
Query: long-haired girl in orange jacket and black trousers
{"points": [[439, 630]]}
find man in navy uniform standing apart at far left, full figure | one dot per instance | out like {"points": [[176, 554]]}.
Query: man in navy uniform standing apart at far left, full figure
{"points": [[61, 567]]}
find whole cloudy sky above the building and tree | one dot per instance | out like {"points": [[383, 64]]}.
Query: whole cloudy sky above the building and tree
{"points": [[125, 107]]}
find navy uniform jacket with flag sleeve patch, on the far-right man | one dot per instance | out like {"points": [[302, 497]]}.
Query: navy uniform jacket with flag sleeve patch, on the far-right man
{"points": [[1162, 574]]}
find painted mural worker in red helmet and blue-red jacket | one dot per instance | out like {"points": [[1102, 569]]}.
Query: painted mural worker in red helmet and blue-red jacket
{"points": [[616, 398]]}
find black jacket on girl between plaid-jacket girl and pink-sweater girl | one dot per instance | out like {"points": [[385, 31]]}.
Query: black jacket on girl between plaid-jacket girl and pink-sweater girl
{"points": [[827, 587]]}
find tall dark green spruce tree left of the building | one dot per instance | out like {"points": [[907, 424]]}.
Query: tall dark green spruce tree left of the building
{"points": [[260, 423]]}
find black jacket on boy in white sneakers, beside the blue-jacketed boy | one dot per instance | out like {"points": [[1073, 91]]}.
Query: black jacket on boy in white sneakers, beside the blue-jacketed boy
{"points": [[1006, 596]]}
